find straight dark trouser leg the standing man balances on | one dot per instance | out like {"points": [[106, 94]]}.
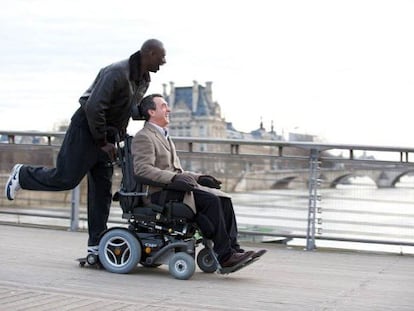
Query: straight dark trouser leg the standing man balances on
{"points": [[99, 197]]}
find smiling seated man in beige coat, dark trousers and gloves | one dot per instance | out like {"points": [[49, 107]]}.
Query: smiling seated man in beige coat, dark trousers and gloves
{"points": [[155, 158]]}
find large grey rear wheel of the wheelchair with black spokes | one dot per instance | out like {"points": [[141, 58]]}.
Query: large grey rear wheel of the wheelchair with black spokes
{"points": [[119, 251]]}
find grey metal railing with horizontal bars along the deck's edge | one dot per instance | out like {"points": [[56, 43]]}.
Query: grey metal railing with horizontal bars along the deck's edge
{"points": [[277, 187]]}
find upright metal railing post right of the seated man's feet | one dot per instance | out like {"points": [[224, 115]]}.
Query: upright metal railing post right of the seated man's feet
{"points": [[314, 198]]}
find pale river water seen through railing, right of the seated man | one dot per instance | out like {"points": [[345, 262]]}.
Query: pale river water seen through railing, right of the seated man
{"points": [[358, 211]]}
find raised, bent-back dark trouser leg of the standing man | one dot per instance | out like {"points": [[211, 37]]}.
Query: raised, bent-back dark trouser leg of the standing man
{"points": [[77, 154]]}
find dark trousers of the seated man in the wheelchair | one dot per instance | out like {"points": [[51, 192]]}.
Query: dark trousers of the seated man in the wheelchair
{"points": [[215, 215]]}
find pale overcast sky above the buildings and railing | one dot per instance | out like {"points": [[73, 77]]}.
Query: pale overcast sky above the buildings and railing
{"points": [[342, 70]]}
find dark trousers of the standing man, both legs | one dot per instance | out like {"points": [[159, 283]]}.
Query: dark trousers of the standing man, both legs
{"points": [[78, 156]]}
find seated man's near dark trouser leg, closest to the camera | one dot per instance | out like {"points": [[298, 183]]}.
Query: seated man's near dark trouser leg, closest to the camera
{"points": [[209, 205]]}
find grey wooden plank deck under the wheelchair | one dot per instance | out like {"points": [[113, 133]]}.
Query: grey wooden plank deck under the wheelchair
{"points": [[39, 272]]}
